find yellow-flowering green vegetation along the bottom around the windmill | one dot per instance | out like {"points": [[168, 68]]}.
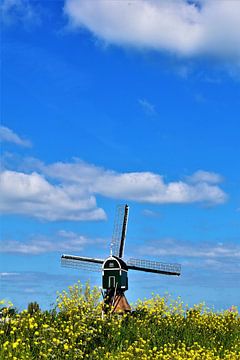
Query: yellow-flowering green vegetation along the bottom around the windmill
{"points": [[159, 328]]}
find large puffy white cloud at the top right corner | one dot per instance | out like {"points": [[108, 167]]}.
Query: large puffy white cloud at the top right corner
{"points": [[179, 26]]}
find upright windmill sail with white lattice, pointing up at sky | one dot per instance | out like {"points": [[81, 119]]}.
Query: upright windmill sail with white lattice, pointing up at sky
{"points": [[119, 231]]}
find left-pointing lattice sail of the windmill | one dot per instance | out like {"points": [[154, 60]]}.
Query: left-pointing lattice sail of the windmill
{"points": [[81, 262]]}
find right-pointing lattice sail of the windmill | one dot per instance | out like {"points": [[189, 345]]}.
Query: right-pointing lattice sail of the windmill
{"points": [[154, 267]]}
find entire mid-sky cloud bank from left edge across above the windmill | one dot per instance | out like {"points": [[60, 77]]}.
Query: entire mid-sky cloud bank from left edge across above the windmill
{"points": [[68, 191]]}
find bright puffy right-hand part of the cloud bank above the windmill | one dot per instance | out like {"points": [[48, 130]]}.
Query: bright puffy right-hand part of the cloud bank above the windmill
{"points": [[151, 188]]}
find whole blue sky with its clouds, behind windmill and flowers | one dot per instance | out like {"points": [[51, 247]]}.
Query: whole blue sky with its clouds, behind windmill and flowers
{"points": [[110, 102]]}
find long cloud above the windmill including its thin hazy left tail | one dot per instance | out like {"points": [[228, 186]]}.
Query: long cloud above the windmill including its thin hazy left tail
{"points": [[146, 187]]}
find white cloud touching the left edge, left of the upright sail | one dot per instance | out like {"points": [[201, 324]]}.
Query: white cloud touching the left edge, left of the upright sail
{"points": [[32, 195]]}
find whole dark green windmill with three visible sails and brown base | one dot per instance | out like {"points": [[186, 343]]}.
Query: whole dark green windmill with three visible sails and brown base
{"points": [[115, 269]]}
